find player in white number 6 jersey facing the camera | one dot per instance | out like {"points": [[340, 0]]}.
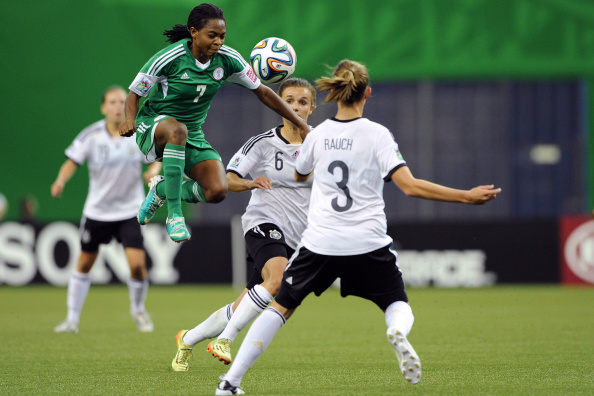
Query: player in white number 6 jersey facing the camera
{"points": [[273, 223]]}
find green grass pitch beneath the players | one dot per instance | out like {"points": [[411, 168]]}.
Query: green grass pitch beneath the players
{"points": [[505, 340]]}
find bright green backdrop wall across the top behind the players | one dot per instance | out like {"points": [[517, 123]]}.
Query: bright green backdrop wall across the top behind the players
{"points": [[58, 57]]}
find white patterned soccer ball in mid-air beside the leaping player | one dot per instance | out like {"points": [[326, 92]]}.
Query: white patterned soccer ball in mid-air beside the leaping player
{"points": [[273, 60]]}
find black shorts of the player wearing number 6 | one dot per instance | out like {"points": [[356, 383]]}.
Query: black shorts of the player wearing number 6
{"points": [[264, 242]]}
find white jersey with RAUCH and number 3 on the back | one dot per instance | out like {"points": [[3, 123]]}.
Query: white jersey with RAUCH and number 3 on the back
{"points": [[351, 160]]}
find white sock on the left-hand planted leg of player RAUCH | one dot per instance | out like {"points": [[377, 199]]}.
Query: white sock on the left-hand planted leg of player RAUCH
{"points": [[255, 343]]}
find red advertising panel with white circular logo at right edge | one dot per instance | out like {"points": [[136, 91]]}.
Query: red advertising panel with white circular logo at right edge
{"points": [[577, 250]]}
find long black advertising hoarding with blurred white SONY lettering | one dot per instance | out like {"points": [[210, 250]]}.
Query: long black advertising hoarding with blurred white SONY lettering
{"points": [[441, 254]]}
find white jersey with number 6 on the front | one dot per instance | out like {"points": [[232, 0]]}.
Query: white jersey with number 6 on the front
{"points": [[285, 205]]}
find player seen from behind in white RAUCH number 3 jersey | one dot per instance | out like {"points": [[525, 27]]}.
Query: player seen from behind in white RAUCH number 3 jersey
{"points": [[346, 236]]}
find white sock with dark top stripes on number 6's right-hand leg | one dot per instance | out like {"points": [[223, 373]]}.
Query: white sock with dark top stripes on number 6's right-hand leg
{"points": [[254, 302]]}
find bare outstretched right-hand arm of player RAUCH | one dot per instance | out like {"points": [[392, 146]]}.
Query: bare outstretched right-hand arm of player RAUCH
{"points": [[419, 188]]}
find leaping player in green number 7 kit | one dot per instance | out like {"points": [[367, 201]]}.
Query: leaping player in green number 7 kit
{"points": [[179, 83]]}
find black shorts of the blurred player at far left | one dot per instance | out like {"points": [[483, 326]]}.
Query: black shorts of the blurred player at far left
{"points": [[94, 233]]}
